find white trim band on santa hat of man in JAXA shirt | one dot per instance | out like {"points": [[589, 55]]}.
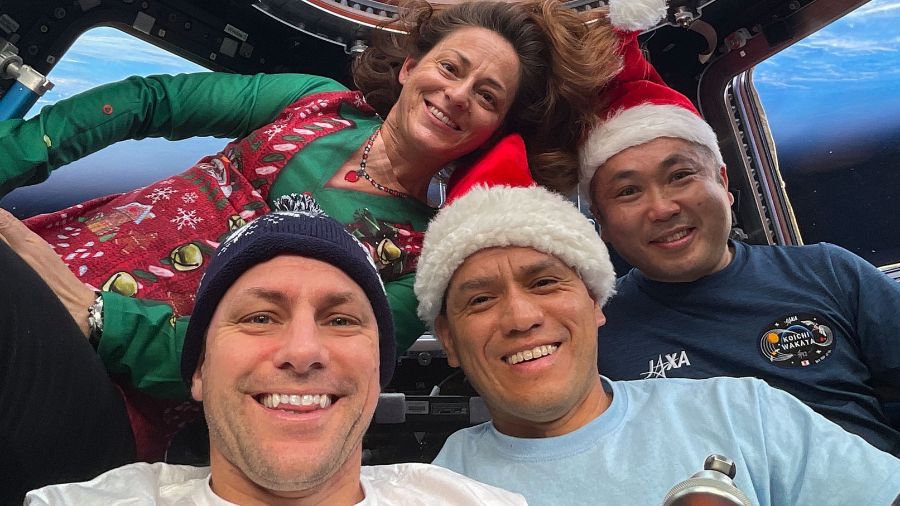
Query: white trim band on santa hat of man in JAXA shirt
{"points": [[637, 125]]}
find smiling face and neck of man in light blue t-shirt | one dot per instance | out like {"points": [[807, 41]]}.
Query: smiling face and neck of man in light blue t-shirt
{"points": [[523, 327]]}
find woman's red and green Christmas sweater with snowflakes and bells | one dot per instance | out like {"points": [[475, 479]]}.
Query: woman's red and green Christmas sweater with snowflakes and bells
{"points": [[146, 249]]}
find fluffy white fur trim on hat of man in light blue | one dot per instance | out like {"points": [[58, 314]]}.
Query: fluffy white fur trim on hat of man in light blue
{"points": [[502, 216]]}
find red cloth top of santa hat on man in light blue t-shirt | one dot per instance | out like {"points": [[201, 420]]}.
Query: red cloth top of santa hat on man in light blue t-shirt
{"points": [[504, 164]]}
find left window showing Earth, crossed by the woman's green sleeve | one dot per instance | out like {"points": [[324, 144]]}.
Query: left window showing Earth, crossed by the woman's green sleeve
{"points": [[99, 56]]}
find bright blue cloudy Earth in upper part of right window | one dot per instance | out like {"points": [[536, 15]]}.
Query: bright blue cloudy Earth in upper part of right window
{"points": [[842, 79]]}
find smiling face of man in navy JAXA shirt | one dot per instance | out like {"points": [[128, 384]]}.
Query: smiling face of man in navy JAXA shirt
{"points": [[665, 207]]}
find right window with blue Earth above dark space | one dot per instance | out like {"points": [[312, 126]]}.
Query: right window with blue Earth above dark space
{"points": [[833, 105]]}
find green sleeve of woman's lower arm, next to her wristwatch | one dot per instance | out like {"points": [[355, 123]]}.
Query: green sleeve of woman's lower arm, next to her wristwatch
{"points": [[143, 342]]}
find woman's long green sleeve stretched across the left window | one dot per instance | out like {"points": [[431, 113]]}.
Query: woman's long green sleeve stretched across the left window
{"points": [[174, 107]]}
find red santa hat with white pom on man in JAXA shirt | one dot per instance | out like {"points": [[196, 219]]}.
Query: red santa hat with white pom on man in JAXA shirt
{"points": [[641, 106]]}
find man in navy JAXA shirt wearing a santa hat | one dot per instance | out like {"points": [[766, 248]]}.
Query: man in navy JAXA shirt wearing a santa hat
{"points": [[816, 321]]}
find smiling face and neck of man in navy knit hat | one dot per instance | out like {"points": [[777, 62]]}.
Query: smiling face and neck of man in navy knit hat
{"points": [[289, 381]]}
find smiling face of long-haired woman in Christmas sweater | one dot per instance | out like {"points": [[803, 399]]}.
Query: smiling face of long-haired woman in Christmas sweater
{"points": [[456, 96]]}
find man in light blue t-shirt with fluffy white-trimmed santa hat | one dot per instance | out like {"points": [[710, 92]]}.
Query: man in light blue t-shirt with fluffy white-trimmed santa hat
{"points": [[512, 282]]}
